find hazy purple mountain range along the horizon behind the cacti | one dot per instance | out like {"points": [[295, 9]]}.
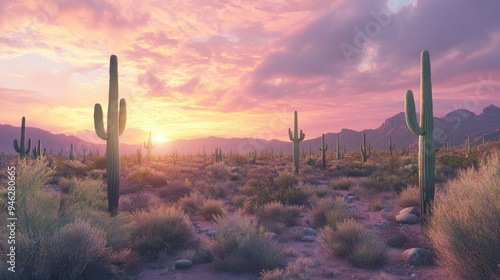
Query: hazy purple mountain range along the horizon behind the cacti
{"points": [[456, 125]]}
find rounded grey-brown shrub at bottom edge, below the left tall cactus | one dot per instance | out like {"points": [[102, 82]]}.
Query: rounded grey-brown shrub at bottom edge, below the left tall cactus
{"points": [[76, 251]]}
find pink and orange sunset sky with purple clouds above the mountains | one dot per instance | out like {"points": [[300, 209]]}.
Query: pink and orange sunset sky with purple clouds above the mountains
{"points": [[237, 68]]}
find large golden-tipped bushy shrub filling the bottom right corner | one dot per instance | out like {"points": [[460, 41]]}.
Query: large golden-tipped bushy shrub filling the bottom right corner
{"points": [[465, 227]]}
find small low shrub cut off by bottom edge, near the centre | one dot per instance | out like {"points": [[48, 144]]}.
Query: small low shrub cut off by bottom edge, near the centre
{"points": [[295, 270]]}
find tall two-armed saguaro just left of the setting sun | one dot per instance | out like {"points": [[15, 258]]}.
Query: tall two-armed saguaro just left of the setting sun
{"points": [[117, 119]]}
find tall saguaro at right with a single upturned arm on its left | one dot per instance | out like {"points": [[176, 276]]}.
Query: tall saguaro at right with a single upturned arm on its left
{"points": [[426, 145]]}
